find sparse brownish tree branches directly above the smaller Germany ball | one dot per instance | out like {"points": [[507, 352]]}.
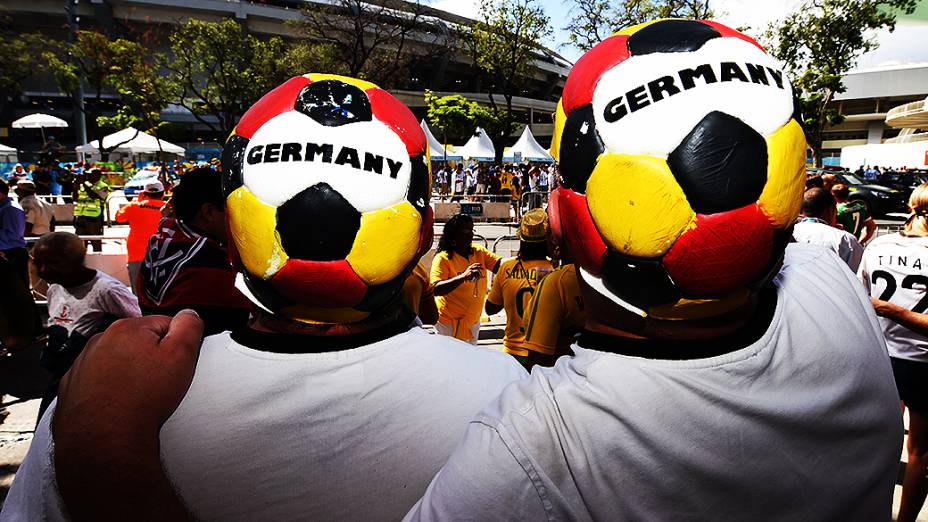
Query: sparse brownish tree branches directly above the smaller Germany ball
{"points": [[377, 41]]}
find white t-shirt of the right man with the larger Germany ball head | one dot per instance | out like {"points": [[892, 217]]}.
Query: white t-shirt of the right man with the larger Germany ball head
{"points": [[802, 424]]}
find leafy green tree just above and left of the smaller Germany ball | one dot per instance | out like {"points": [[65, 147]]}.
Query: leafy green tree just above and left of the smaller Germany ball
{"points": [[218, 71]]}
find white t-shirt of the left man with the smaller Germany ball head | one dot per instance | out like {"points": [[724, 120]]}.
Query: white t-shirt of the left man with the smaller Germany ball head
{"points": [[346, 435]]}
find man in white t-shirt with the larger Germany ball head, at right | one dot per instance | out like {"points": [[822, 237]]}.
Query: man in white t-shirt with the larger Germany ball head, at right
{"points": [[732, 378]]}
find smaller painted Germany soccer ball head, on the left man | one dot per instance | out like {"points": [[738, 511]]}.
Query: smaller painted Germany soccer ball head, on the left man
{"points": [[327, 185]]}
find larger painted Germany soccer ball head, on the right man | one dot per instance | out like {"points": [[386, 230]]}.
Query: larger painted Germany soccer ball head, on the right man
{"points": [[683, 167]]}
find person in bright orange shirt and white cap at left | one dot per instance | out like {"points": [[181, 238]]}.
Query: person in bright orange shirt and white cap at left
{"points": [[143, 216]]}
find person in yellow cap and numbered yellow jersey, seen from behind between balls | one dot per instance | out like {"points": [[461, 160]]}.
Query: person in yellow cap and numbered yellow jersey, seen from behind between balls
{"points": [[517, 279]]}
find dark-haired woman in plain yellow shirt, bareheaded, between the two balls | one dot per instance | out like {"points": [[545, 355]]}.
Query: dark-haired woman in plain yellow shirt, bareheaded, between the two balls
{"points": [[459, 278]]}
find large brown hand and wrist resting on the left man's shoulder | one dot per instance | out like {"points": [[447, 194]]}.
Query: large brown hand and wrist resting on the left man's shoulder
{"points": [[111, 405]]}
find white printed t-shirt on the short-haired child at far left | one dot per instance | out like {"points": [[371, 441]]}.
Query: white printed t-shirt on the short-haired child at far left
{"points": [[80, 308]]}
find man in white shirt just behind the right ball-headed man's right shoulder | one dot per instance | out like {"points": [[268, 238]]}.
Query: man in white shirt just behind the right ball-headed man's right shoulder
{"points": [[816, 226]]}
